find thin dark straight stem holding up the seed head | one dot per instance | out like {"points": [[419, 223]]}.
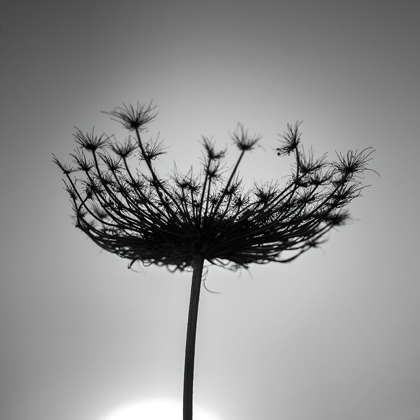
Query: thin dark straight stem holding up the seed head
{"points": [[191, 334]]}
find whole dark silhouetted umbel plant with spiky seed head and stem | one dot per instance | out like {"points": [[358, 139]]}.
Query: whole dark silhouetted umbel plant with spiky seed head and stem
{"points": [[183, 220]]}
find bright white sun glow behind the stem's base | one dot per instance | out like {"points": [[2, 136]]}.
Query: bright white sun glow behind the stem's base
{"points": [[156, 410]]}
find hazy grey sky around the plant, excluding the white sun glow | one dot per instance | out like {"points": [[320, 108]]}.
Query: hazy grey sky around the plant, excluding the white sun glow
{"points": [[334, 335]]}
